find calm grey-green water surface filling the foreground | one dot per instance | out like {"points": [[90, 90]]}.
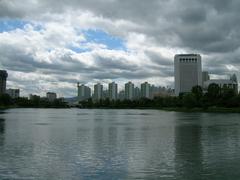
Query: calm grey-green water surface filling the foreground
{"points": [[118, 144]]}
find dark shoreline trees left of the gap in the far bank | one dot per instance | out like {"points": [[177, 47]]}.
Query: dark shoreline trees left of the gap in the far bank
{"points": [[36, 102]]}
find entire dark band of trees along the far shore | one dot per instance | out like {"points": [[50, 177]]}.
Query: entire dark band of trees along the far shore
{"points": [[215, 99]]}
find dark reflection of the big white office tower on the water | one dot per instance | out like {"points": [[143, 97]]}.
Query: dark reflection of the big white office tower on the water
{"points": [[188, 147]]}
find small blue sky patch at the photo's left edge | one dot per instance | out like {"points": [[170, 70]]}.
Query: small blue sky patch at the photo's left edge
{"points": [[7, 25]]}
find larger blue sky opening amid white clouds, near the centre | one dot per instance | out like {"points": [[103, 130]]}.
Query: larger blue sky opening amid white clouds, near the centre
{"points": [[101, 37]]}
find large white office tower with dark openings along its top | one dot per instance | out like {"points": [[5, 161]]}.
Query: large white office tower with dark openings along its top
{"points": [[188, 72]]}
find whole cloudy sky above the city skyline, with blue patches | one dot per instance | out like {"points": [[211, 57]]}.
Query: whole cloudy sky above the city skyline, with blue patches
{"points": [[50, 45]]}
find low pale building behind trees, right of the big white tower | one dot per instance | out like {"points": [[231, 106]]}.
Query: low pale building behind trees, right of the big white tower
{"points": [[230, 83]]}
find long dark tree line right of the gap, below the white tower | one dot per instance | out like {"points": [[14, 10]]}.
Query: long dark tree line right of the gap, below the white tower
{"points": [[215, 99]]}
